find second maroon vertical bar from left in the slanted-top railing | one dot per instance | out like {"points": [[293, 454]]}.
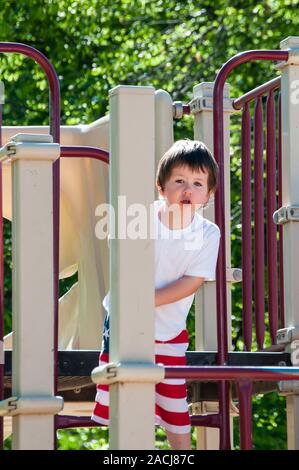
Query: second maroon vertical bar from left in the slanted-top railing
{"points": [[259, 258]]}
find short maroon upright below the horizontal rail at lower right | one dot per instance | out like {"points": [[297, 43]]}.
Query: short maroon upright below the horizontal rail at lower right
{"points": [[244, 392]]}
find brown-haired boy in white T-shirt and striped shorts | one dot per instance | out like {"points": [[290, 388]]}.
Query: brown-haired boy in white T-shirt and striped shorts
{"points": [[186, 250]]}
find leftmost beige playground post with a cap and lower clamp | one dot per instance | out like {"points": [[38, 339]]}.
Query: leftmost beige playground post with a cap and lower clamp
{"points": [[33, 303]]}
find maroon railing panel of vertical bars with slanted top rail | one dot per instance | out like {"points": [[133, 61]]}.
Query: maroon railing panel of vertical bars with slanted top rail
{"points": [[273, 163]]}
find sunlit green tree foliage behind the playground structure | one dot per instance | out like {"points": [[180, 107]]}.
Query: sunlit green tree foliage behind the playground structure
{"points": [[170, 44]]}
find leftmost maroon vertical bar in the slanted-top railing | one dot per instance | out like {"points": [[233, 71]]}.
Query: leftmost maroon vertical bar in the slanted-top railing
{"points": [[246, 228]]}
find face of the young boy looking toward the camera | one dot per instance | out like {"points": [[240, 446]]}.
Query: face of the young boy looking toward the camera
{"points": [[186, 188]]}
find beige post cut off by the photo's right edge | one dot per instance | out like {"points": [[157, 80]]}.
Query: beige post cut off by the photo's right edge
{"points": [[290, 197]]}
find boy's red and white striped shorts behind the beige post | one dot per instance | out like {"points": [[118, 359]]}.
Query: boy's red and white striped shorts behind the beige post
{"points": [[171, 395]]}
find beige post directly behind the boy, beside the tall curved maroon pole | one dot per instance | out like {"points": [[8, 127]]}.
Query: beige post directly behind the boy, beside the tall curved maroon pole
{"points": [[205, 300]]}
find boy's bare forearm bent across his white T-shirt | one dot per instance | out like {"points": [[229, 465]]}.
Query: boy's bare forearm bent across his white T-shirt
{"points": [[177, 290]]}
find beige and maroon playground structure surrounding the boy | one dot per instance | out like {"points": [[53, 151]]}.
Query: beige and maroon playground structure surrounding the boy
{"points": [[135, 146]]}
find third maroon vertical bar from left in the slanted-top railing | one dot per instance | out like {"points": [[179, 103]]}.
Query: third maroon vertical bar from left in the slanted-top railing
{"points": [[271, 227]]}
